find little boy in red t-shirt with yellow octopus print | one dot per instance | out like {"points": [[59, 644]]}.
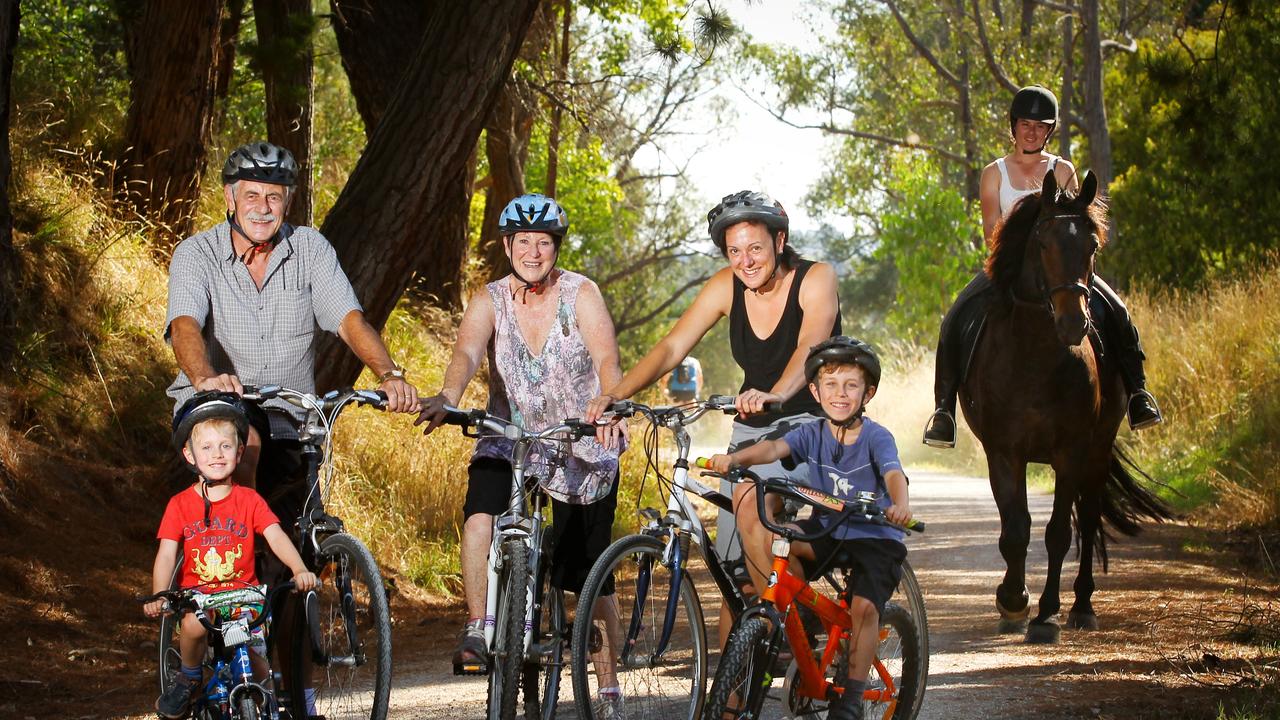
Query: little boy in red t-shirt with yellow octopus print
{"points": [[214, 526]]}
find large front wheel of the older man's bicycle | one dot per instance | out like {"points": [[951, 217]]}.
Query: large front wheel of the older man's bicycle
{"points": [[349, 663]]}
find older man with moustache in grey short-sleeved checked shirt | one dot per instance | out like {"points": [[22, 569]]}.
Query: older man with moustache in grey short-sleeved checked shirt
{"points": [[245, 300]]}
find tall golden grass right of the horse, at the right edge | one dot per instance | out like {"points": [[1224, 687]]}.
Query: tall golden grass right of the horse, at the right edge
{"points": [[1214, 363]]}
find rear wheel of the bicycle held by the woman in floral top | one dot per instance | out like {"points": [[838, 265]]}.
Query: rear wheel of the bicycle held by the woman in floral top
{"points": [[546, 658]]}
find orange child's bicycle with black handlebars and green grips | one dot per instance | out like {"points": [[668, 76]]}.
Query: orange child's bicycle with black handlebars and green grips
{"points": [[899, 673]]}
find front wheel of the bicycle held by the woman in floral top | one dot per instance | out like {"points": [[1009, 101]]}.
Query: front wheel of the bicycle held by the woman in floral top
{"points": [[509, 642]]}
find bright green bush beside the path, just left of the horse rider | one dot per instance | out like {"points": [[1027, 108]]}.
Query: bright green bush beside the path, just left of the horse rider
{"points": [[927, 233]]}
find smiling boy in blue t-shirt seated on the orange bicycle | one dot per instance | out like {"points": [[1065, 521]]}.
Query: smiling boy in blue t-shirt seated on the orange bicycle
{"points": [[847, 454]]}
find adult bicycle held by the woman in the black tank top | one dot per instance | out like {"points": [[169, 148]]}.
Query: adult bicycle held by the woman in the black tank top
{"points": [[662, 654]]}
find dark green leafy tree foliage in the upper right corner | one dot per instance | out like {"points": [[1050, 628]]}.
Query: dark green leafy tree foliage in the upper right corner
{"points": [[1196, 149]]}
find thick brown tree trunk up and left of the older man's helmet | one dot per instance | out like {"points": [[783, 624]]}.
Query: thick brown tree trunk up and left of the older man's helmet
{"points": [[171, 115]]}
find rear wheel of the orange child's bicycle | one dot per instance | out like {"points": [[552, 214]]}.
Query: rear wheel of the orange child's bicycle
{"points": [[897, 658]]}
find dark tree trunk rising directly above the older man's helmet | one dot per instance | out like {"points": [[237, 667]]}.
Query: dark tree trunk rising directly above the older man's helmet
{"points": [[285, 30]]}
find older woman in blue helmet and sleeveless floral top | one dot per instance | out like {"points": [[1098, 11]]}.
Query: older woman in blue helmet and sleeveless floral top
{"points": [[551, 344]]}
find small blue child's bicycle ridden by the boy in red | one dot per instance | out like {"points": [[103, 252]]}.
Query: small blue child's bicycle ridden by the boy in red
{"points": [[231, 692]]}
